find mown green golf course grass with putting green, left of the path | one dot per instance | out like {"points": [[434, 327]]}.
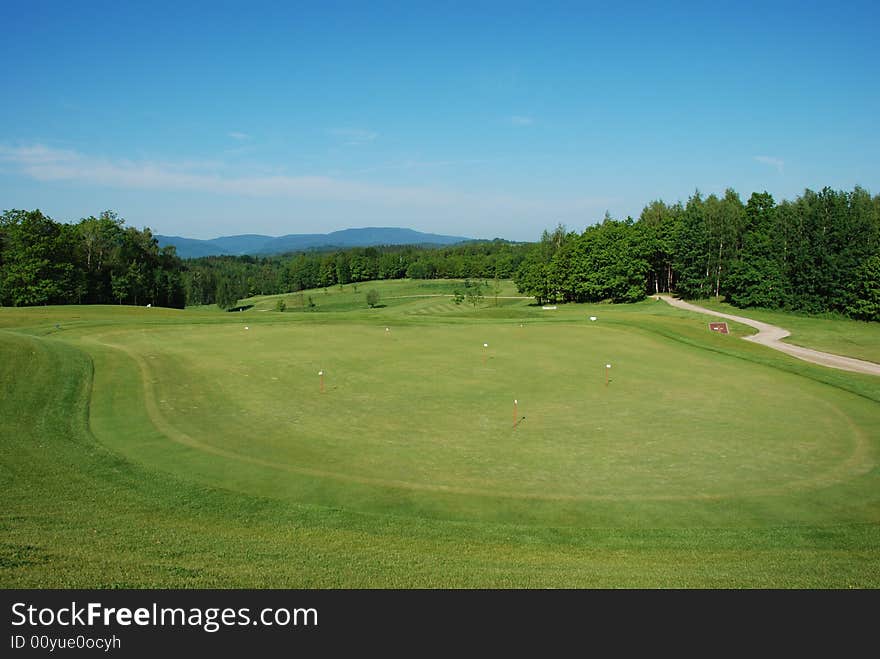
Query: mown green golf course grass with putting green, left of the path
{"points": [[163, 448]]}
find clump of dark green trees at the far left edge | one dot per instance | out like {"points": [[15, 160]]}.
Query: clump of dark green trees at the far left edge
{"points": [[97, 260]]}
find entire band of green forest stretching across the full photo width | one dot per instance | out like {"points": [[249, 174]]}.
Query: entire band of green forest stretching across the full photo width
{"points": [[817, 253]]}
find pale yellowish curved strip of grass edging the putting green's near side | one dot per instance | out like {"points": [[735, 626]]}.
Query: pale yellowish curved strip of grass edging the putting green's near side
{"points": [[838, 473]]}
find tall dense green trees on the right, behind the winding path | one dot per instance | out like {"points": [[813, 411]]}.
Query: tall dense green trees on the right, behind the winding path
{"points": [[817, 253]]}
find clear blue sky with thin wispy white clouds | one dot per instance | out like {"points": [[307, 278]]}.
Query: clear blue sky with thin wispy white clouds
{"points": [[477, 119]]}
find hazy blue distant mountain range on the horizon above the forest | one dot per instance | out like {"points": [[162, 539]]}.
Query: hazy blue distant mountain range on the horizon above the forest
{"points": [[257, 245]]}
